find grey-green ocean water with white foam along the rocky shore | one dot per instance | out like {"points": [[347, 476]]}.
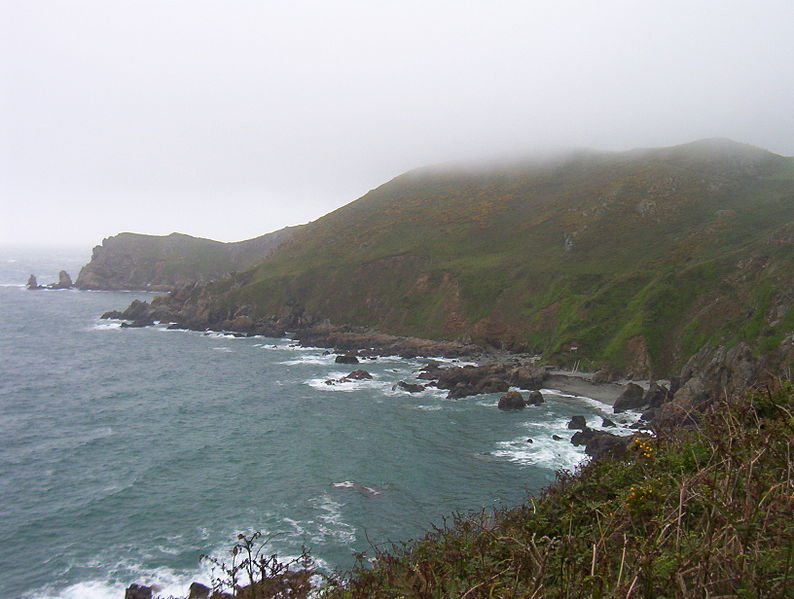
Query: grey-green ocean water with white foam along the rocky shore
{"points": [[125, 454]]}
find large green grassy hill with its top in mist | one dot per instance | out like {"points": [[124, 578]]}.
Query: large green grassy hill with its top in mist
{"points": [[631, 259]]}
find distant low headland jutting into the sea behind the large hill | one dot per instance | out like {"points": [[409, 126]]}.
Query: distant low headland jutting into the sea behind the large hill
{"points": [[135, 261]]}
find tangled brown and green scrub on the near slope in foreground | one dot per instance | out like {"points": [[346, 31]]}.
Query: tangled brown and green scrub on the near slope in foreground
{"points": [[701, 513]]}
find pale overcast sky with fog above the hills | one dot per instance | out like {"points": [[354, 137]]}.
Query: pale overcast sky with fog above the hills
{"points": [[232, 118]]}
